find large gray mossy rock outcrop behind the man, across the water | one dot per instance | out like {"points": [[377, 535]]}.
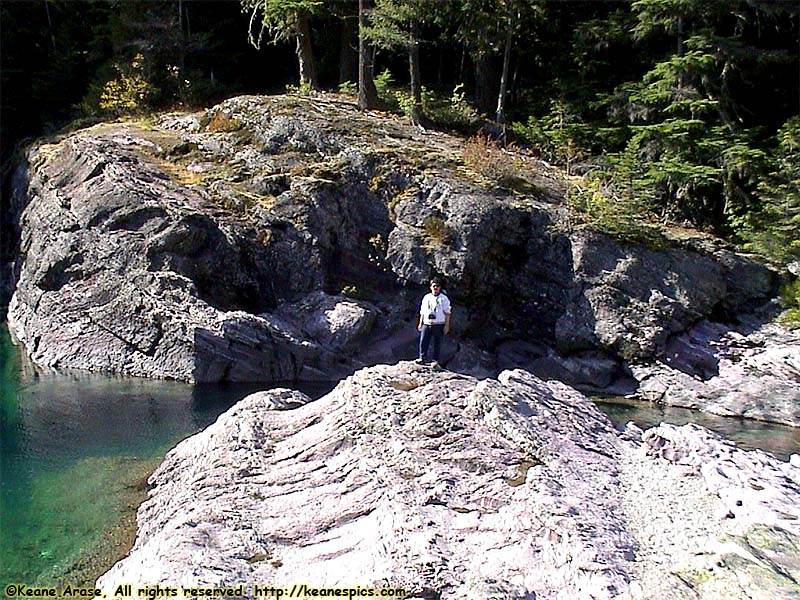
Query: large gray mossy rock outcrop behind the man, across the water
{"points": [[198, 249]]}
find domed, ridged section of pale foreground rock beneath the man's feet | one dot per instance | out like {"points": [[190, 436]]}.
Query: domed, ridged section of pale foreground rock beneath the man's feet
{"points": [[399, 477]]}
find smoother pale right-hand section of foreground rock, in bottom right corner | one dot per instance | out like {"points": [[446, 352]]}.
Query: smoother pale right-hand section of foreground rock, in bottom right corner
{"points": [[711, 521]]}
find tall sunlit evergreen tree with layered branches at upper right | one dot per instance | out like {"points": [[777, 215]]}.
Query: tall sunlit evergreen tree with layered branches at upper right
{"points": [[686, 137]]}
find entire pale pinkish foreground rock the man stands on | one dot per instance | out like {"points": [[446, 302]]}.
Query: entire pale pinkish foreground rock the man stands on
{"points": [[451, 487]]}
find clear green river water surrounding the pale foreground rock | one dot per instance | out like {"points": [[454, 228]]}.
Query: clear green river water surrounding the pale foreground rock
{"points": [[76, 449]]}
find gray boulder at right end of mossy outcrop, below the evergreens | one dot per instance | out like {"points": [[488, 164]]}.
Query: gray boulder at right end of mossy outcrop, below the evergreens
{"points": [[631, 300]]}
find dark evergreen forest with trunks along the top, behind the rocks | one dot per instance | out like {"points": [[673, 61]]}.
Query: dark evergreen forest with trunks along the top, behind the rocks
{"points": [[667, 111]]}
